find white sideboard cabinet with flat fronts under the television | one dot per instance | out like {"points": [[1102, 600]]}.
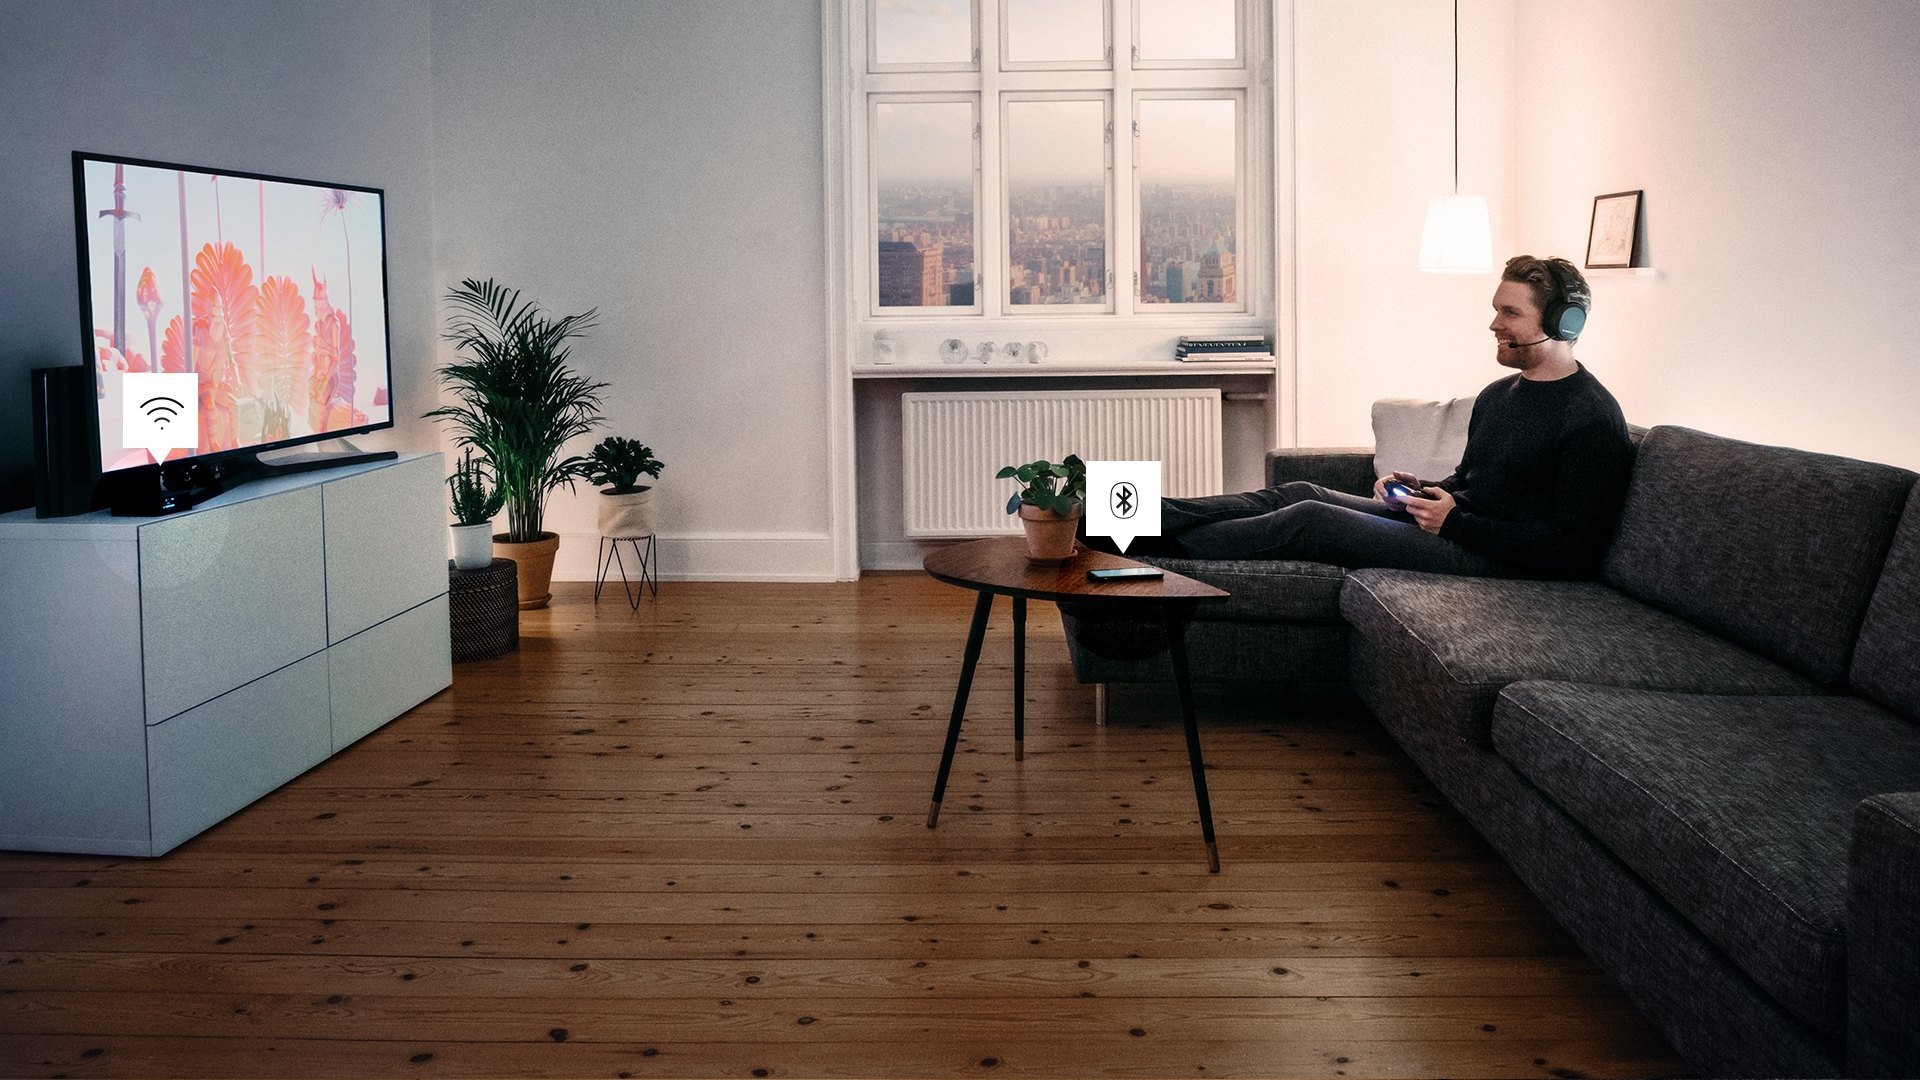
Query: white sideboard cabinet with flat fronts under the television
{"points": [[160, 674]]}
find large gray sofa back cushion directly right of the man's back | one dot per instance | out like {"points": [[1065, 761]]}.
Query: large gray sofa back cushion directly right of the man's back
{"points": [[1790, 585]]}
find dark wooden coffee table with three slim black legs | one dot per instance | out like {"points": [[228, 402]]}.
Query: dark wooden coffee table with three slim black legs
{"points": [[999, 568]]}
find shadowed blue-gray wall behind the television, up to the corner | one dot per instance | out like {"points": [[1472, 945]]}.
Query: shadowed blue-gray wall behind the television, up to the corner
{"points": [[335, 91]]}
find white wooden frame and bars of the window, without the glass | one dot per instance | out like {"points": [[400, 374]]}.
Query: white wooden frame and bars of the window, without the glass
{"points": [[853, 212]]}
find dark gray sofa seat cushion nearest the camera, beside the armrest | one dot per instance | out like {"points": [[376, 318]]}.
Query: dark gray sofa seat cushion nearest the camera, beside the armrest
{"points": [[1737, 810]]}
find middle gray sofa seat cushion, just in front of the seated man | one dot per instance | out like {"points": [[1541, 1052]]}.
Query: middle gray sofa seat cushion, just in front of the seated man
{"points": [[1466, 639]]}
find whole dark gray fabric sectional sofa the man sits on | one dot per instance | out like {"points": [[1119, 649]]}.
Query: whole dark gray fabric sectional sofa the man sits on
{"points": [[1706, 764]]}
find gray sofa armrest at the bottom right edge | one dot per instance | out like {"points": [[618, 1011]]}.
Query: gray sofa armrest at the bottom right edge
{"points": [[1884, 939]]}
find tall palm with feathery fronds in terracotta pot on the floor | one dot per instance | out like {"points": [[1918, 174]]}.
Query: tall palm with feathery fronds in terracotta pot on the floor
{"points": [[517, 403]]}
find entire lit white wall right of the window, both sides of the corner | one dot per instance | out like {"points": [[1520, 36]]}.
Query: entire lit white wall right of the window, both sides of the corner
{"points": [[1775, 141]]}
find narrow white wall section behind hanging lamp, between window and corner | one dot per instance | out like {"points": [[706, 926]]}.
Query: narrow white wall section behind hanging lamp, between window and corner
{"points": [[1374, 110]]}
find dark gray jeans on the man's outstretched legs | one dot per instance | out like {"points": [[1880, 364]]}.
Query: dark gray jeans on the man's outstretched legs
{"points": [[1310, 524]]}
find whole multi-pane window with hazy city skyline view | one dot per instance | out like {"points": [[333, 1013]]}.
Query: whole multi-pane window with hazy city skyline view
{"points": [[1057, 157]]}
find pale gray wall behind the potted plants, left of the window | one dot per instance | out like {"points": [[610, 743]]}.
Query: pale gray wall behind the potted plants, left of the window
{"points": [[661, 162]]}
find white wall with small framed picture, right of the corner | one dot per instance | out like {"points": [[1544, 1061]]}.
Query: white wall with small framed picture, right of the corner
{"points": [[1777, 143]]}
